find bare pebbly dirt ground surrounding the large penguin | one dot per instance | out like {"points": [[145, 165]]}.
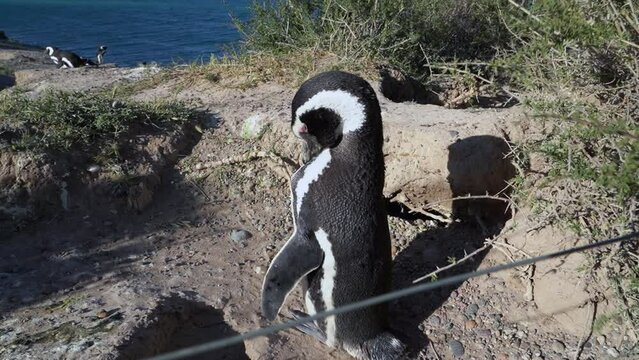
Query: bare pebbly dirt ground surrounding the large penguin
{"points": [[104, 282]]}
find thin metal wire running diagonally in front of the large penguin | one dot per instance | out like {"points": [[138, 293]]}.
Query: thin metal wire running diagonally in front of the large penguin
{"points": [[393, 295]]}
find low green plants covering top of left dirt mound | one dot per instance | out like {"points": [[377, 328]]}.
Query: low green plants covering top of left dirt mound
{"points": [[63, 121]]}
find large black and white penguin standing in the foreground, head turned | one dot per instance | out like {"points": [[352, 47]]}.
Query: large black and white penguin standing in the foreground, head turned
{"points": [[340, 250]]}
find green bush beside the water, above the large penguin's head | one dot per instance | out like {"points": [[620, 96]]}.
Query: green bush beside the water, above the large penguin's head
{"points": [[404, 33]]}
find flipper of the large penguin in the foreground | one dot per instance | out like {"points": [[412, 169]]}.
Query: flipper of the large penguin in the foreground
{"points": [[298, 257]]}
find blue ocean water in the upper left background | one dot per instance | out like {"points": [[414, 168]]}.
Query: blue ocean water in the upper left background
{"points": [[135, 31]]}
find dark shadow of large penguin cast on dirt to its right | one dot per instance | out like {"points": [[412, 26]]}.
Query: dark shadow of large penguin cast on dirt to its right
{"points": [[477, 165]]}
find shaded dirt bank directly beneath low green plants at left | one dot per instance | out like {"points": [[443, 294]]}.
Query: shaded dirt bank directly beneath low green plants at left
{"points": [[37, 187]]}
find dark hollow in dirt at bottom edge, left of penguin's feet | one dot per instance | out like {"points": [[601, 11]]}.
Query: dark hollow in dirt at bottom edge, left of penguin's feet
{"points": [[176, 323]]}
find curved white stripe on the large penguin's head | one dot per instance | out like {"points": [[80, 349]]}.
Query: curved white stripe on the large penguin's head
{"points": [[345, 105]]}
